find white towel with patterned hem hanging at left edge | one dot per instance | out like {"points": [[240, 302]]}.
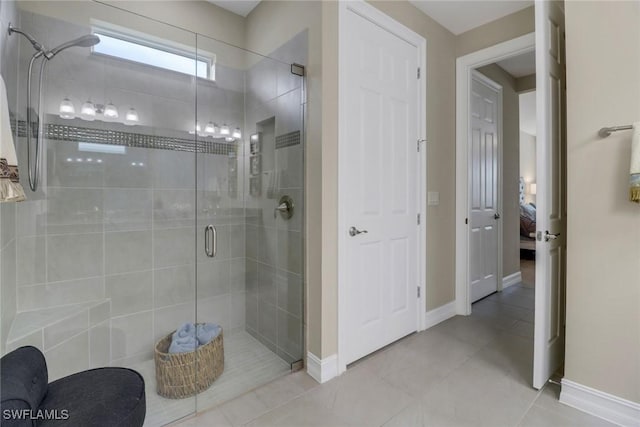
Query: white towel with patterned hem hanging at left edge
{"points": [[10, 188]]}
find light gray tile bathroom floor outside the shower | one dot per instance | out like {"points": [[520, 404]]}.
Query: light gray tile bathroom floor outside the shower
{"points": [[466, 371]]}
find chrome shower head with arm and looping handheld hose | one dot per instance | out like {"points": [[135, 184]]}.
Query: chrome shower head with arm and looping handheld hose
{"points": [[83, 41]]}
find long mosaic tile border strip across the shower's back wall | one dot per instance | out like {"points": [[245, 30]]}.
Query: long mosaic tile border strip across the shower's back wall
{"points": [[57, 132]]}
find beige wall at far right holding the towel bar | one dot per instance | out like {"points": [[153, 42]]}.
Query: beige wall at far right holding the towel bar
{"points": [[603, 280]]}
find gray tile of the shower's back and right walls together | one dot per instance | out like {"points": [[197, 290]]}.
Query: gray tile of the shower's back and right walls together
{"points": [[115, 242]]}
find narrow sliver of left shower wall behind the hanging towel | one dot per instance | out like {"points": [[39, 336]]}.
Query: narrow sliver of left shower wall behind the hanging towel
{"points": [[8, 69]]}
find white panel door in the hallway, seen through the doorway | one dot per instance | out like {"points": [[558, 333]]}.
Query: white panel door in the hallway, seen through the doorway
{"points": [[484, 157]]}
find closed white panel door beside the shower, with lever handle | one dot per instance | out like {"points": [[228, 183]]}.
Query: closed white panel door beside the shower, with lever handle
{"points": [[380, 93]]}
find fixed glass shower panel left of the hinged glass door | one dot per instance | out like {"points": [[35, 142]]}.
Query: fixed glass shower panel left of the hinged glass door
{"points": [[106, 246]]}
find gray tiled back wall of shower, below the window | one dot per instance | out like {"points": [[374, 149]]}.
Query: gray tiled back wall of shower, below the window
{"points": [[105, 252]]}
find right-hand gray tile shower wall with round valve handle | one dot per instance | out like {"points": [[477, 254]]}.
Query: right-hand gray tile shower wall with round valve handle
{"points": [[274, 246]]}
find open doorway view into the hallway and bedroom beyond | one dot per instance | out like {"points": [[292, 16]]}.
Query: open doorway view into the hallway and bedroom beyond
{"points": [[503, 217]]}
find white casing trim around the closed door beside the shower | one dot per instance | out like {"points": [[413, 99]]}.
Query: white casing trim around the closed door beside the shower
{"points": [[361, 8]]}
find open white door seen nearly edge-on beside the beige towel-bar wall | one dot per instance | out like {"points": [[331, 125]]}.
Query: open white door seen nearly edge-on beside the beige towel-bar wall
{"points": [[551, 209]]}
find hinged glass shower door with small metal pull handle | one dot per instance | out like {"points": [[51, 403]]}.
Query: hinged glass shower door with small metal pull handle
{"points": [[249, 258]]}
